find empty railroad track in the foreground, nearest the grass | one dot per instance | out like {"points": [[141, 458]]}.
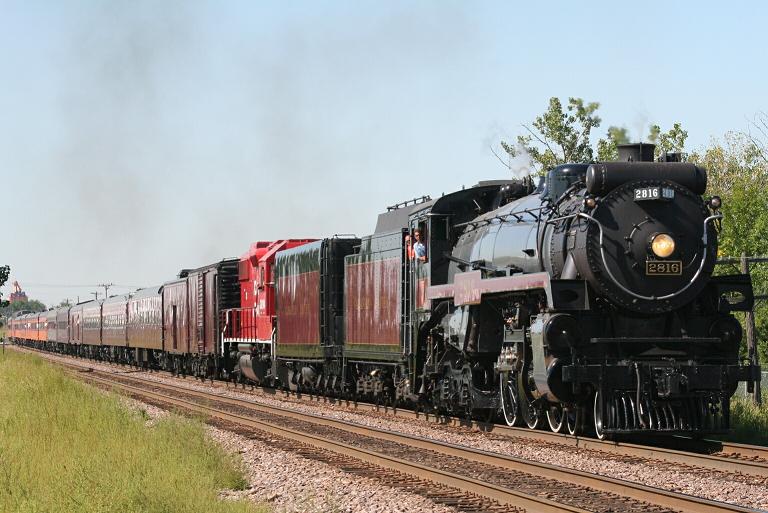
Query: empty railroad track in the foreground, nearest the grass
{"points": [[468, 479]]}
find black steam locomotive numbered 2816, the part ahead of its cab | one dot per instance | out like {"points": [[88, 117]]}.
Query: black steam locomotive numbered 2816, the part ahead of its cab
{"points": [[593, 293]]}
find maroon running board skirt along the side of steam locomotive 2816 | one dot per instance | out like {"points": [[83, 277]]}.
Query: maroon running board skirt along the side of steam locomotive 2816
{"points": [[469, 288]]}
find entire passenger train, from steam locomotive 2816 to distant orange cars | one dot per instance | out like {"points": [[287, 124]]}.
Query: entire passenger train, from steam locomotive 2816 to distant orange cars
{"points": [[589, 295]]}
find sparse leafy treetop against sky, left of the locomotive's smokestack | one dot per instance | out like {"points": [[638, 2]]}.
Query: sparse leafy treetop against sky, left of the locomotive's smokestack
{"points": [[558, 136]]}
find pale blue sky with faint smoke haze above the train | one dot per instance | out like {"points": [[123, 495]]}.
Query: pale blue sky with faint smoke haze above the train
{"points": [[140, 137]]}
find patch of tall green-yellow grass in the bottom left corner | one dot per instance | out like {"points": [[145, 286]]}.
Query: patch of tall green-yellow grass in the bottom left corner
{"points": [[65, 447]]}
